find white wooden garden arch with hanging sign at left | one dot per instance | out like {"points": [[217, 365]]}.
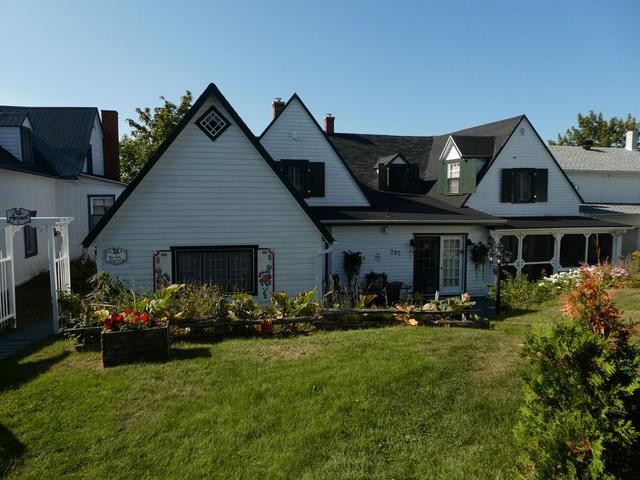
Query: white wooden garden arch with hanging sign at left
{"points": [[59, 270]]}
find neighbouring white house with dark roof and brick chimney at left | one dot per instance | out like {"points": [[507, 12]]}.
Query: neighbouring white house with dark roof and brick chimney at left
{"points": [[59, 162]]}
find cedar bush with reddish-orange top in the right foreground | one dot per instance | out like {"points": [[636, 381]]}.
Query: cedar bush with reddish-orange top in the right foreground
{"points": [[580, 416]]}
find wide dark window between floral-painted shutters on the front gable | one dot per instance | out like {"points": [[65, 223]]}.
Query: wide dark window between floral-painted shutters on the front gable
{"points": [[232, 268]]}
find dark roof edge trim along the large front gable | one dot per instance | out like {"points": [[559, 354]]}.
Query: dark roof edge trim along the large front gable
{"points": [[211, 90]]}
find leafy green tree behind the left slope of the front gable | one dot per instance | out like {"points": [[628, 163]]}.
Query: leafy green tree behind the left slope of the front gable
{"points": [[148, 132]]}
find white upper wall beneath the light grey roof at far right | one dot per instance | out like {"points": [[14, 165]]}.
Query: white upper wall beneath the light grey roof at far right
{"points": [[607, 187]]}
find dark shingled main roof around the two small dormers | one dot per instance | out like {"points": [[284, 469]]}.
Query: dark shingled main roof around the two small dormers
{"points": [[362, 151]]}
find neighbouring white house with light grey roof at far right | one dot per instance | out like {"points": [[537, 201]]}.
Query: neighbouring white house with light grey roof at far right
{"points": [[608, 179]]}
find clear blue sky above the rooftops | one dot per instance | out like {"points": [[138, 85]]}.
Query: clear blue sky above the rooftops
{"points": [[393, 67]]}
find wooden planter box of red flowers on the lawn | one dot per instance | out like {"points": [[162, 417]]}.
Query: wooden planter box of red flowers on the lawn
{"points": [[133, 336]]}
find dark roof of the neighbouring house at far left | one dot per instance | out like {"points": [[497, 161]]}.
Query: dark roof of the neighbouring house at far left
{"points": [[60, 137]]}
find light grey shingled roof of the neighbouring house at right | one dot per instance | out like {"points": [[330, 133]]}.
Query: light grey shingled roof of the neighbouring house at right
{"points": [[597, 159]]}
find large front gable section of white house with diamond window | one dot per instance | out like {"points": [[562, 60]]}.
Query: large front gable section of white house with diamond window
{"points": [[212, 206]]}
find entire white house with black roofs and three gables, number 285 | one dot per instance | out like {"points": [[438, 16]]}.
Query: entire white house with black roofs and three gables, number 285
{"points": [[216, 204]]}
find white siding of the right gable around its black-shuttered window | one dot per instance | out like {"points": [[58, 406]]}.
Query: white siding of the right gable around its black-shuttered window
{"points": [[525, 151]]}
